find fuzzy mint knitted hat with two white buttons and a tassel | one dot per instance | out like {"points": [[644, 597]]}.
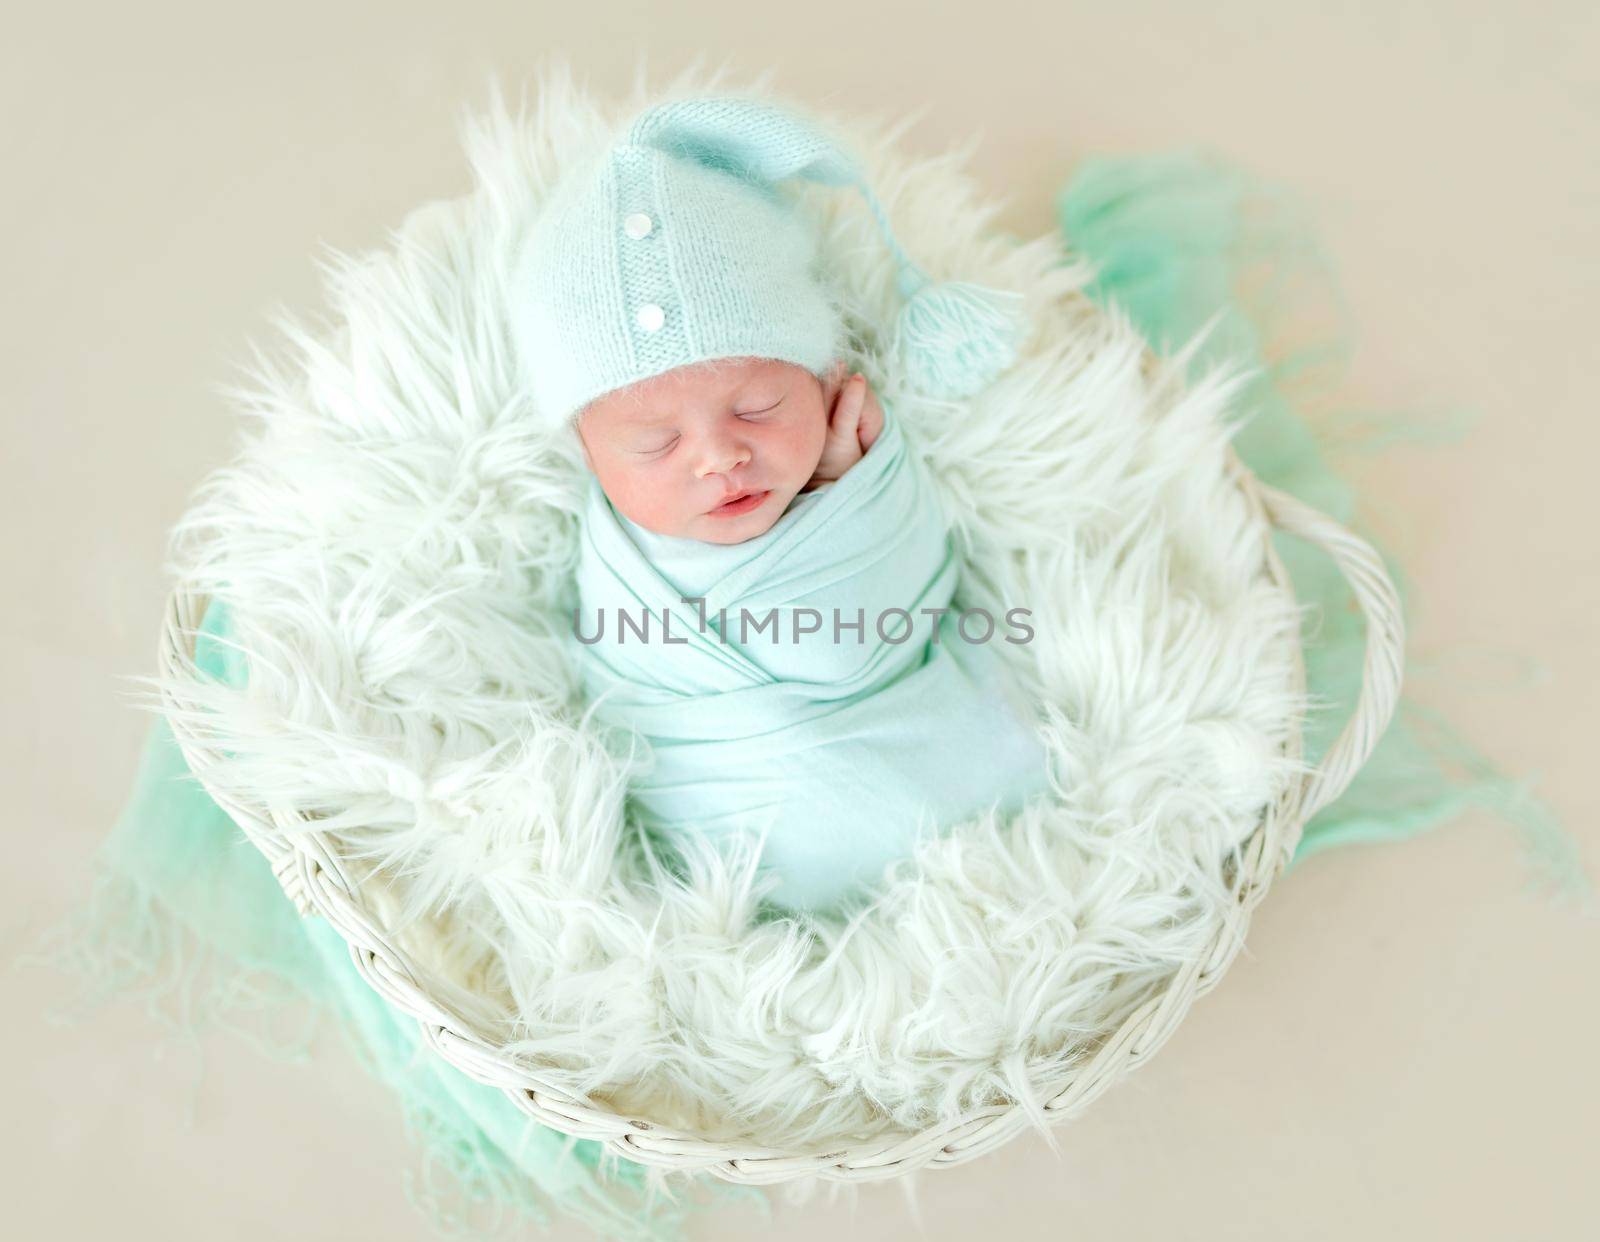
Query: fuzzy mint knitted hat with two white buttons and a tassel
{"points": [[676, 247]]}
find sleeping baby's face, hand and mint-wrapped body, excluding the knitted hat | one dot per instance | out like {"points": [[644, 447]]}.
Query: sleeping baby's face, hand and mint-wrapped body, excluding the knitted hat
{"points": [[751, 531]]}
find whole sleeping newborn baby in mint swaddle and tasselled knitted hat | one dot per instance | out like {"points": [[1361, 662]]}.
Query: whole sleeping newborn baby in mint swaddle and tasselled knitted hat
{"points": [[766, 574]]}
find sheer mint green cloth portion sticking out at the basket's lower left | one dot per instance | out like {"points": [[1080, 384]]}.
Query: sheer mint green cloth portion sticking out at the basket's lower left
{"points": [[188, 915]]}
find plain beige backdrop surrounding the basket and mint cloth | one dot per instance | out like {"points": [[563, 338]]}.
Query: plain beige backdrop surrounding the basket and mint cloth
{"points": [[1406, 1051]]}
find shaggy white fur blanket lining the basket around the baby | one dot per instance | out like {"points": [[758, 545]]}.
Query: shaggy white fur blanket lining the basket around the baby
{"points": [[398, 539]]}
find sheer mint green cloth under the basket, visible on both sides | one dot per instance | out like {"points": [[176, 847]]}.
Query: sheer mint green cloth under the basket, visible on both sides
{"points": [[185, 915]]}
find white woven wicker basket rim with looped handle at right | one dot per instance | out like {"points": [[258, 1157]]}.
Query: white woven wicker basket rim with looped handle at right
{"points": [[313, 876]]}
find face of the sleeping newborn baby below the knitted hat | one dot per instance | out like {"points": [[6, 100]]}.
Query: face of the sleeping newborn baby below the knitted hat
{"points": [[673, 449]]}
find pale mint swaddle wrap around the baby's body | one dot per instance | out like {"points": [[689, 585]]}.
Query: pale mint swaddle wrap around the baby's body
{"points": [[790, 697]]}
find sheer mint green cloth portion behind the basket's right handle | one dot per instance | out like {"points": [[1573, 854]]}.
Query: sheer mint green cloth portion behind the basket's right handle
{"points": [[1180, 238]]}
